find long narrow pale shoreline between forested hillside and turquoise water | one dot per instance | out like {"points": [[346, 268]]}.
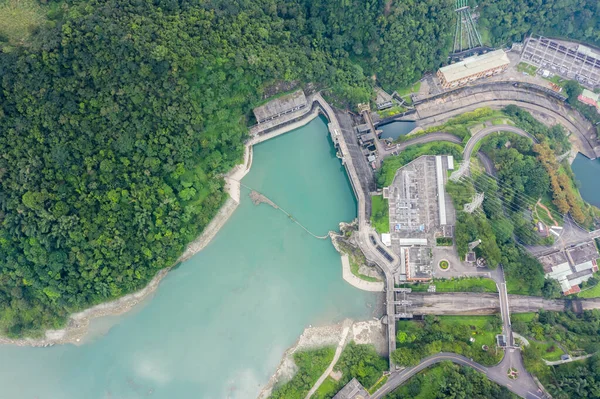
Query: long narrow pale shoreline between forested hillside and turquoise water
{"points": [[77, 326]]}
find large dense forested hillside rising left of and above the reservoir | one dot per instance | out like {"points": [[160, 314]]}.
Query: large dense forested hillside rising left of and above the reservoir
{"points": [[117, 118]]}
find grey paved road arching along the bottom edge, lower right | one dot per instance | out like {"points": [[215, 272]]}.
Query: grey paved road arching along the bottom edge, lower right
{"points": [[523, 386]]}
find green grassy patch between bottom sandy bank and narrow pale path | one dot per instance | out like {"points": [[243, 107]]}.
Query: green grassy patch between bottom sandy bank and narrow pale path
{"points": [[311, 364]]}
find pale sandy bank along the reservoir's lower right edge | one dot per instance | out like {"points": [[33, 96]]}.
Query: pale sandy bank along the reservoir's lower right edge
{"points": [[362, 332]]}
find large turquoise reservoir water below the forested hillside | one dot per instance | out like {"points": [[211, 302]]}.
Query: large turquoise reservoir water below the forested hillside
{"points": [[219, 324]]}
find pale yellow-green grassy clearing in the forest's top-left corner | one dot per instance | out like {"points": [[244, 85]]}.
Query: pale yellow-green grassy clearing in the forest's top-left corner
{"points": [[18, 18]]}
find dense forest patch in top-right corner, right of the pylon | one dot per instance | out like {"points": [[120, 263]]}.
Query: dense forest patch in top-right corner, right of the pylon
{"points": [[509, 21]]}
